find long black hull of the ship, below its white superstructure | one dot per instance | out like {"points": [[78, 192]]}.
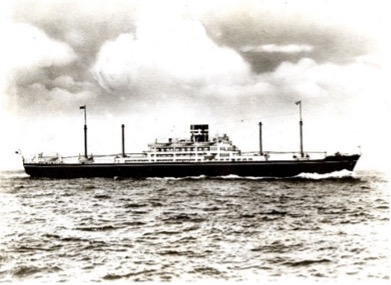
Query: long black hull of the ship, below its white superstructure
{"points": [[282, 168]]}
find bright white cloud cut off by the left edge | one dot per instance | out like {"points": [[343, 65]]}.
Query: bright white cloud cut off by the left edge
{"points": [[25, 53]]}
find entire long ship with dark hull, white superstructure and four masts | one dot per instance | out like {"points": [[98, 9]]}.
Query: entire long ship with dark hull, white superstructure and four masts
{"points": [[196, 155]]}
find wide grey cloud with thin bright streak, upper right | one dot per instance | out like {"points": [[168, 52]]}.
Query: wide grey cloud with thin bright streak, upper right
{"points": [[330, 31]]}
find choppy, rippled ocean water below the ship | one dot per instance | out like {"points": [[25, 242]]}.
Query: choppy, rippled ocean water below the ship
{"points": [[308, 228]]}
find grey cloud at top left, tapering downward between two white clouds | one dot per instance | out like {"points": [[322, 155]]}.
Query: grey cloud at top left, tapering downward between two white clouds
{"points": [[84, 25]]}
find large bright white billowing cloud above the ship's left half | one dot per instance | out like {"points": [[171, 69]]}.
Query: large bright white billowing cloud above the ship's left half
{"points": [[167, 49]]}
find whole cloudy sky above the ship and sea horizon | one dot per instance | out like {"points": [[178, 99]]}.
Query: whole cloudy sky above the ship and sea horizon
{"points": [[159, 66]]}
